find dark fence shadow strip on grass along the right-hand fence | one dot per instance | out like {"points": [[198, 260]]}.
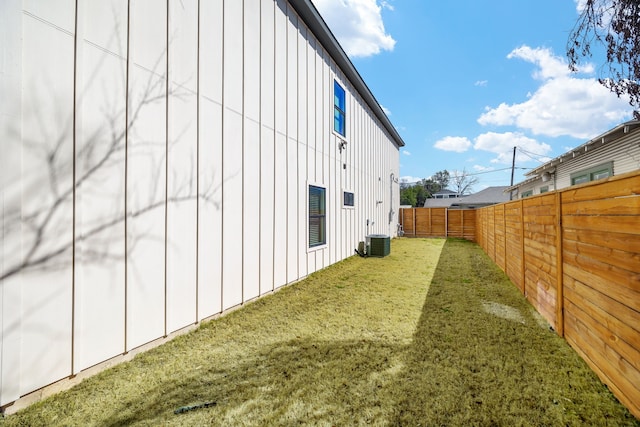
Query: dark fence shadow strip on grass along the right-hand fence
{"points": [[482, 356]]}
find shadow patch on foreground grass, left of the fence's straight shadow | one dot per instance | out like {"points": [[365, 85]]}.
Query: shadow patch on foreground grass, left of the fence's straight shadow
{"points": [[297, 382]]}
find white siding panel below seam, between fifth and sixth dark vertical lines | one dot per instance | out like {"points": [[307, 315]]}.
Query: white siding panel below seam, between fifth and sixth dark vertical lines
{"points": [[232, 210]]}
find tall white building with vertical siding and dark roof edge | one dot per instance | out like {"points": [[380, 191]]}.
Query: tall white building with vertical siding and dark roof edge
{"points": [[166, 160]]}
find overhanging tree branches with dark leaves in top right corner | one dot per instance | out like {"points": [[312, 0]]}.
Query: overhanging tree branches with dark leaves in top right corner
{"points": [[616, 25]]}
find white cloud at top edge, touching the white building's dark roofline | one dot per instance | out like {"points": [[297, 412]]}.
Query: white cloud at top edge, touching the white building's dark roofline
{"points": [[357, 24]]}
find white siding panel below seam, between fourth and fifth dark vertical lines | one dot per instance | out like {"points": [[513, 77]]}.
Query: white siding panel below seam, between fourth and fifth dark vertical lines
{"points": [[210, 214]]}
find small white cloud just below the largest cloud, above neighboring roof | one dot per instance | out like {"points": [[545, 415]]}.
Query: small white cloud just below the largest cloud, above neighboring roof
{"points": [[502, 144]]}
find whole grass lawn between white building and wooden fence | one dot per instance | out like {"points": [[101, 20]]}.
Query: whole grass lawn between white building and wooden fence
{"points": [[434, 334]]}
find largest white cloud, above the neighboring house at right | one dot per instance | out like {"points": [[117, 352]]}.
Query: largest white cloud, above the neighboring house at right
{"points": [[563, 104]]}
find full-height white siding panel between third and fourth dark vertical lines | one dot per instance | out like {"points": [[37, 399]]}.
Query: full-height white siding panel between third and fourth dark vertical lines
{"points": [[182, 165]]}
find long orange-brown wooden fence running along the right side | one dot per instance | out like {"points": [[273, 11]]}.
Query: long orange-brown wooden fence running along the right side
{"points": [[575, 255]]}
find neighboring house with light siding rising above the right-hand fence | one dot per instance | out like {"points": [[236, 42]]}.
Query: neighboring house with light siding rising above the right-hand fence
{"points": [[615, 152]]}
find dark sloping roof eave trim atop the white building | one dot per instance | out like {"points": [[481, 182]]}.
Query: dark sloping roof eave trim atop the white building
{"points": [[316, 24]]}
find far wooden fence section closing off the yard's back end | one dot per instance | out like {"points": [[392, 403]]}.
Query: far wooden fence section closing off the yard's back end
{"points": [[438, 222]]}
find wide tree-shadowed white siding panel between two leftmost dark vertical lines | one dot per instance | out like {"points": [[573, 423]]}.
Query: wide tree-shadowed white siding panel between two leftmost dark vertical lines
{"points": [[100, 196]]}
